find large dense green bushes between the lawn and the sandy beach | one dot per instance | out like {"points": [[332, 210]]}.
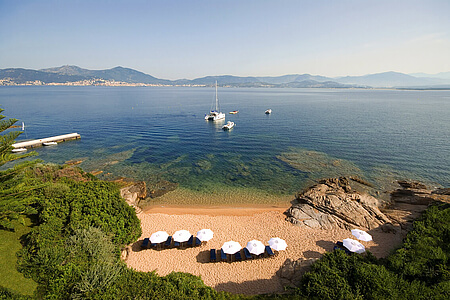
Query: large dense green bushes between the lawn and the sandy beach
{"points": [[82, 225]]}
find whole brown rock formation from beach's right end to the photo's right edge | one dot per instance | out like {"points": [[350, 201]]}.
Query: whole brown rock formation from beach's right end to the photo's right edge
{"points": [[333, 203]]}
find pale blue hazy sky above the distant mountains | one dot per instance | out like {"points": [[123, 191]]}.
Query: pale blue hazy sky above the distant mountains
{"points": [[175, 39]]}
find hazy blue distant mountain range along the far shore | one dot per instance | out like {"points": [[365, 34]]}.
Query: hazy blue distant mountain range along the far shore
{"points": [[73, 74]]}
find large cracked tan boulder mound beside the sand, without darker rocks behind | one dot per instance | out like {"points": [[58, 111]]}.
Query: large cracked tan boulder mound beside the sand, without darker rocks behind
{"points": [[332, 203]]}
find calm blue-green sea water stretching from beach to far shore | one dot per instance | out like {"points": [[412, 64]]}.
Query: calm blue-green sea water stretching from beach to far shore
{"points": [[159, 134]]}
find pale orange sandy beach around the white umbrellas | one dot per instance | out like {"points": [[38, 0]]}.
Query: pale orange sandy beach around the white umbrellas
{"points": [[239, 223]]}
